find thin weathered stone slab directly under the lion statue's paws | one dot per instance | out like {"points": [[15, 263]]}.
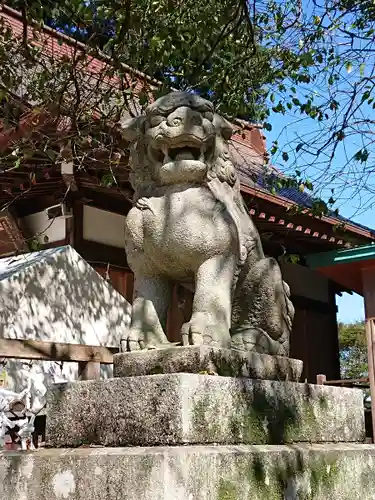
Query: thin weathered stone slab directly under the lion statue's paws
{"points": [[214, 361]]}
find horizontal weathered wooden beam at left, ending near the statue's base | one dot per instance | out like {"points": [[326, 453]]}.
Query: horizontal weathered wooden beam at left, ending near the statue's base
{"points": [[55, 351]]}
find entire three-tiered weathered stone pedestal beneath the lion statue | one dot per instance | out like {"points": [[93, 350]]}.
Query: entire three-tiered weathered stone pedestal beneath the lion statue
{"points": [[193, 436]]}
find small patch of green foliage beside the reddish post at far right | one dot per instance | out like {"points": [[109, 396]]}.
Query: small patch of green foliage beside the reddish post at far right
{"points": [[353, 350]]}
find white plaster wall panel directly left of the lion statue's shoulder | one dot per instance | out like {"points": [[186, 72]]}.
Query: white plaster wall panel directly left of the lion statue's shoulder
{"points": [[103, 227]]}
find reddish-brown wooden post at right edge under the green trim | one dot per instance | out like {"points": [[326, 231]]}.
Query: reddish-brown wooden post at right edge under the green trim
{"points": [[368, 280]]}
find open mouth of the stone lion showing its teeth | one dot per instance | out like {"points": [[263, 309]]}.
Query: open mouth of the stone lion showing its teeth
{"points": [[173, 153]]}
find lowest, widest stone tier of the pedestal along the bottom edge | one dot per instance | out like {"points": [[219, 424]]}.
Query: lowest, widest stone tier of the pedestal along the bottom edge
{"points": [[318, 472]]}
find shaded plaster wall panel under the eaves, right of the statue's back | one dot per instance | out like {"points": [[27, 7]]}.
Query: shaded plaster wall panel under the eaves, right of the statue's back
{"points": [[306, 282]]}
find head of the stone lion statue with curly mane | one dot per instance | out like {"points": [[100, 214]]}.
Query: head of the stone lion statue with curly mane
{"points": [[180, 139]]}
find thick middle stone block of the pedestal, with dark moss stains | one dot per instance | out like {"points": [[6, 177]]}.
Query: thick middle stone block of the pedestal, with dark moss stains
{"points": [[186, 408]]}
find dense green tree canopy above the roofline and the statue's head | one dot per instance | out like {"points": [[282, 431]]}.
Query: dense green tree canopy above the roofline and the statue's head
{"points": [[208, 46]]}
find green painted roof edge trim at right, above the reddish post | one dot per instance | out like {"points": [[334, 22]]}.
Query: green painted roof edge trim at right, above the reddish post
{"points": [[346, 256]]}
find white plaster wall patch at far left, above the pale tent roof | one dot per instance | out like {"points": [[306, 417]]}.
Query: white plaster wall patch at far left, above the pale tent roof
{"points": [[39, 225]]}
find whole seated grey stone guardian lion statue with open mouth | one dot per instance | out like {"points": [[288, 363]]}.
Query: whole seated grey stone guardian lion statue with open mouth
{"points": [[189, 225]]}
